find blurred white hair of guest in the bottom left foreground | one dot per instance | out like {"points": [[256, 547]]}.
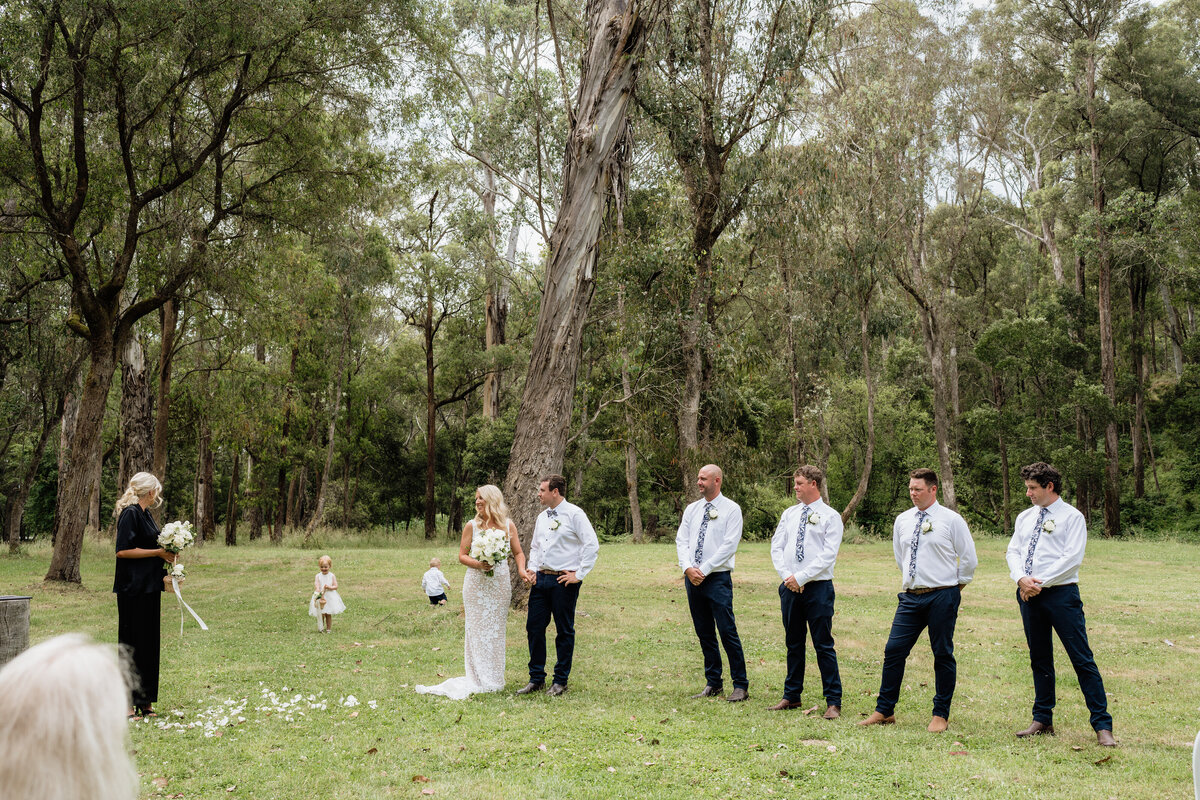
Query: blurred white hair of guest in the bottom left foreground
{"points": [[63, 724]]}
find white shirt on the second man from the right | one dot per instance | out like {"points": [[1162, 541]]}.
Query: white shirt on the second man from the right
{"points": [[946, 554]]}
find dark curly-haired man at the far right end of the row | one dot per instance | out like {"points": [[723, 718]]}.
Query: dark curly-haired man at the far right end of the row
{"points": [[1043, 558]]}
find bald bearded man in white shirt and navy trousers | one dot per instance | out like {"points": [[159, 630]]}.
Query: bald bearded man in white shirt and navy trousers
{"points": [[706, 545]]}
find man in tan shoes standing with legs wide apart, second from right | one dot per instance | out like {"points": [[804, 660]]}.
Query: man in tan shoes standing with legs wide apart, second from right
{"points": [[937, 557]]}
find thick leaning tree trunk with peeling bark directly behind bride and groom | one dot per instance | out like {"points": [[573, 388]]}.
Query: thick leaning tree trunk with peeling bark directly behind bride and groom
{"points": [[596, 165]]}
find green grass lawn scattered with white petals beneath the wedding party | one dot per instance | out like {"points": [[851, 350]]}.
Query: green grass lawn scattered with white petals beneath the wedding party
{"points": [[627, 729]]}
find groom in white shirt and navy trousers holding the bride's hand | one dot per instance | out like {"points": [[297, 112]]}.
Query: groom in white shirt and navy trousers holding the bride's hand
{"points": [[562, 554]]}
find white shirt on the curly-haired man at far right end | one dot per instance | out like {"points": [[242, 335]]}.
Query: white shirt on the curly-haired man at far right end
{"points": [[1059, 552]]}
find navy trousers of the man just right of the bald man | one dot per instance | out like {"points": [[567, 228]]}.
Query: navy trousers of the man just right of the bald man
{"points": [[811, 611]]}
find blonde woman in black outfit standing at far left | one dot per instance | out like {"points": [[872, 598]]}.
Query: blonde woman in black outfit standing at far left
{"points": [[140, 582]]}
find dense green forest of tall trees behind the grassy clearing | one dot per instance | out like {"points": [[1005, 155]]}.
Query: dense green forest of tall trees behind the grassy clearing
{"points": [[292, 260]]}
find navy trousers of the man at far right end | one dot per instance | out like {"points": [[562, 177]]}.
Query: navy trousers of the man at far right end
{"points": [[1059, 609]]}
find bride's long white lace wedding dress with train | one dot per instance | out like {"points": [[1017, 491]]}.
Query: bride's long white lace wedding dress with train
{"points": [[485, 601]]}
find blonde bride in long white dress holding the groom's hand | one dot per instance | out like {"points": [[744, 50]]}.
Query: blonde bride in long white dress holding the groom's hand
{"points": [[485, 600]]}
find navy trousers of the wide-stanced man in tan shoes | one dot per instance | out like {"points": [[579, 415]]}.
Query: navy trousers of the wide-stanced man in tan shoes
{"points": [[938, 611]]}
